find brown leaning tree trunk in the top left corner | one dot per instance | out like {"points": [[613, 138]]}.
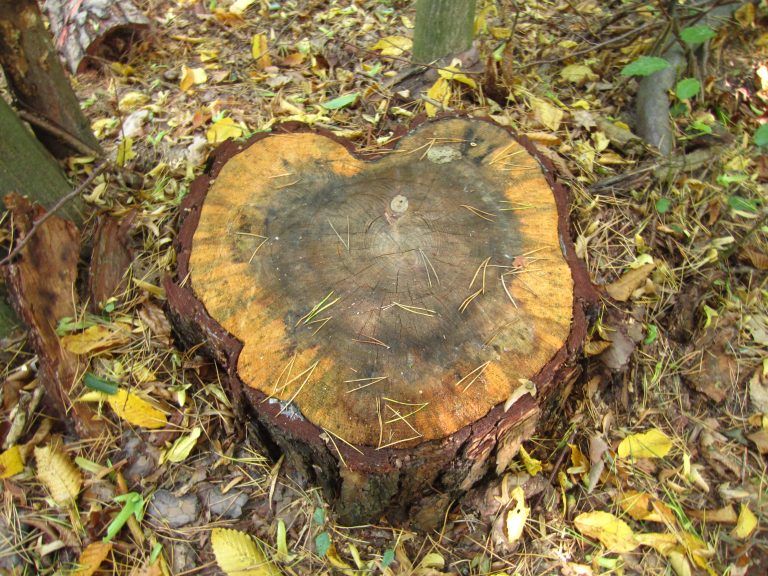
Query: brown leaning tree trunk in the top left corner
{"points": [[38, 82]]}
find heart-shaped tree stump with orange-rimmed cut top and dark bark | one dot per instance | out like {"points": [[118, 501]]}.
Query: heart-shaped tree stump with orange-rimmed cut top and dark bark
{"points": [[388, 317]]}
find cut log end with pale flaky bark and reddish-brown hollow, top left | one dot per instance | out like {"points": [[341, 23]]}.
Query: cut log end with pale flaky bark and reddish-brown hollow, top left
{"points": [[84, 30]]}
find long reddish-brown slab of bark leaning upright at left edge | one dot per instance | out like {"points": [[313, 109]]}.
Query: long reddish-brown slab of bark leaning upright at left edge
{"points": [[41, 285]]}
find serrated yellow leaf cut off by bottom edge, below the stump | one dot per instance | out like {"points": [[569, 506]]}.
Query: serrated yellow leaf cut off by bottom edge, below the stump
{"points": [[237, 554]]}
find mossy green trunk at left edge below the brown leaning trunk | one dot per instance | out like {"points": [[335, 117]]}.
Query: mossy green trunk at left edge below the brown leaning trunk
{"points": [[27, 169]]}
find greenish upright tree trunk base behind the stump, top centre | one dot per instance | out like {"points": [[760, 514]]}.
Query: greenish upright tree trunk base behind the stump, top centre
{"points": [[443, 27]]}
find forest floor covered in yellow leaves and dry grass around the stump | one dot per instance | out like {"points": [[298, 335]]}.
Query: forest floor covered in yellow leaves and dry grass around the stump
{"points": [[678, 251]]}
